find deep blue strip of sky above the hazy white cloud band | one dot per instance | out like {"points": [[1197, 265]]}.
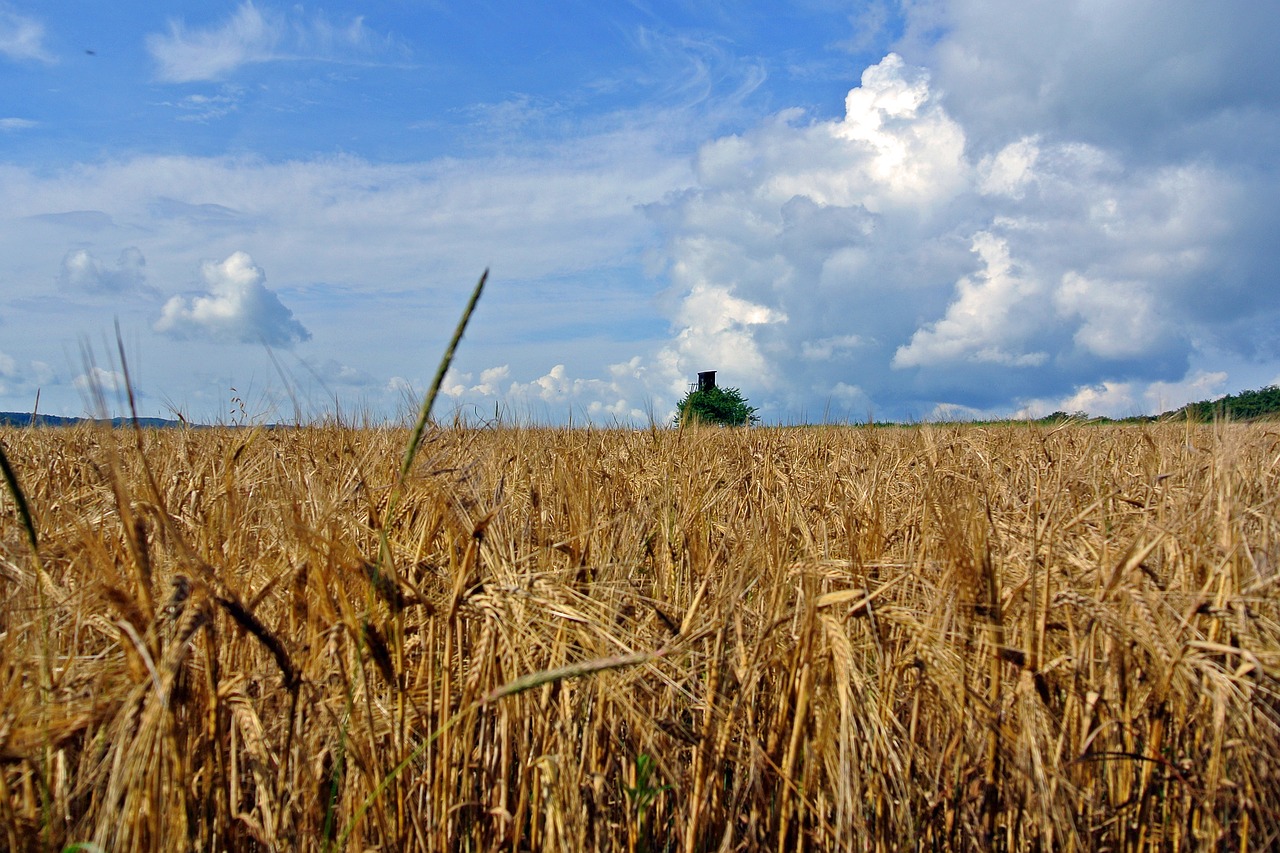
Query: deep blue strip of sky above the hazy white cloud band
{"points": [[431, 80]]}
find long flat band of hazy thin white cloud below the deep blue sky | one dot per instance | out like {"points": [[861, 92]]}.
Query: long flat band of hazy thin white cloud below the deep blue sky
{"points": [[377, 226]]}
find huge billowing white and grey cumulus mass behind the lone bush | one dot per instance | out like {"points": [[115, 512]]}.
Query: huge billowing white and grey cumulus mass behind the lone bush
{"points": [[883, 257]]}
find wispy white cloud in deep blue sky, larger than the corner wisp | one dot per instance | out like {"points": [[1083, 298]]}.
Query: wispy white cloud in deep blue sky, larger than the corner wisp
{"points": [[253, 35]]}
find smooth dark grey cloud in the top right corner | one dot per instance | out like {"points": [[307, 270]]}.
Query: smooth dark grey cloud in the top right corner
{"points": [[1167, 79]]}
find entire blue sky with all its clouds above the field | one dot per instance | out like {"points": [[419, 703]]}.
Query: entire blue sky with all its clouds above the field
{"points": [[903, 211]]}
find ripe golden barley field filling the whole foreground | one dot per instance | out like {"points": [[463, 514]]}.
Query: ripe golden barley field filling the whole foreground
{"points": [[1012, 637]]}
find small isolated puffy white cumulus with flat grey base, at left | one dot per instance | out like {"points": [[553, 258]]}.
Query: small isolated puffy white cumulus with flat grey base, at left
{"points": [[239, 308]]}
